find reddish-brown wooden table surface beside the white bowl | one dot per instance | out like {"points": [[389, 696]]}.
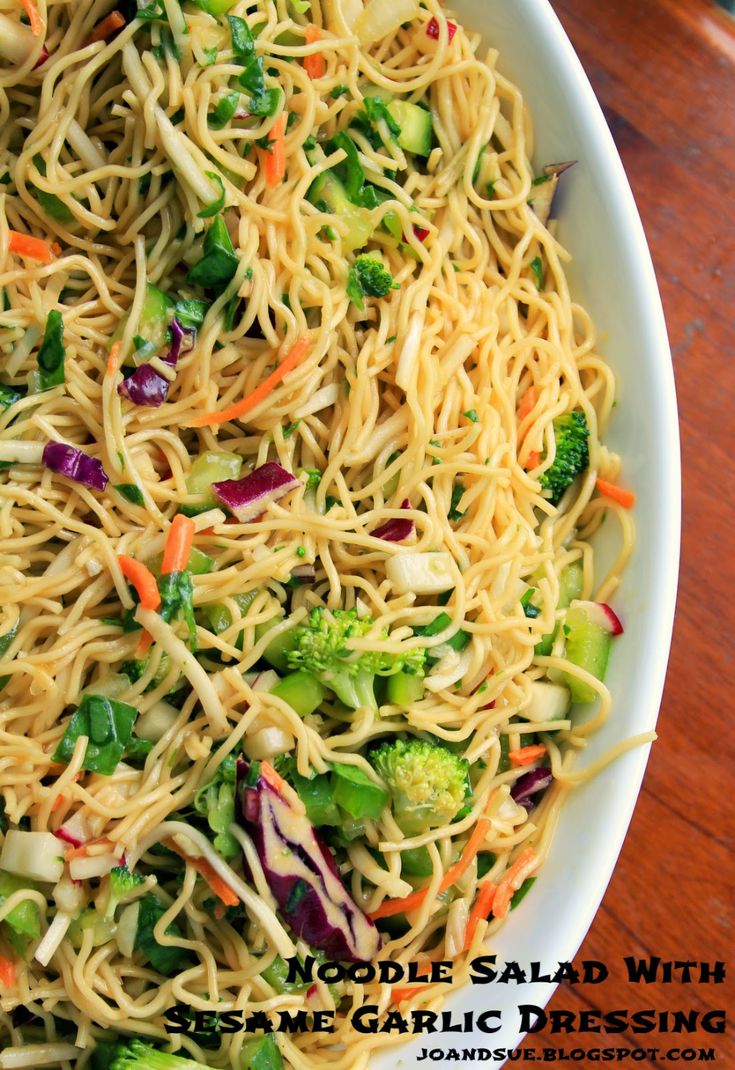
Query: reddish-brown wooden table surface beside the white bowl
{"points": [[665, 73]]}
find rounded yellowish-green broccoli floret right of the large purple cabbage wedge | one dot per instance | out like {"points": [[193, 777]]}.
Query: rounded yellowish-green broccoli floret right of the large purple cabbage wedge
{"points": [[427, 783]]}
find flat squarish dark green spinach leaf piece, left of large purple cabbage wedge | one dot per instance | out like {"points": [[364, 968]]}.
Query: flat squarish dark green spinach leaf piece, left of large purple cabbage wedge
{"points": [[108, 725]]}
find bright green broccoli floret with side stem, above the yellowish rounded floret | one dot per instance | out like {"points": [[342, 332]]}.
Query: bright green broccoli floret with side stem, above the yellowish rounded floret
{"points": [[321, 649]]}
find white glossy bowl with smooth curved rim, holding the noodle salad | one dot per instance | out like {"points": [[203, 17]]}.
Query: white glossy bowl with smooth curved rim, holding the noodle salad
{"points": [[614, 277]]}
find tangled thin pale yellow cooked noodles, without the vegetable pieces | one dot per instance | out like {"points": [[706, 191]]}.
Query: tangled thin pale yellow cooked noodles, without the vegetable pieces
{"points": [[381, 401]]}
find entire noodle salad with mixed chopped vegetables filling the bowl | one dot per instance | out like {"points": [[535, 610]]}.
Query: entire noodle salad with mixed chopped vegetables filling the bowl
{"points": [[300, 437]]}
